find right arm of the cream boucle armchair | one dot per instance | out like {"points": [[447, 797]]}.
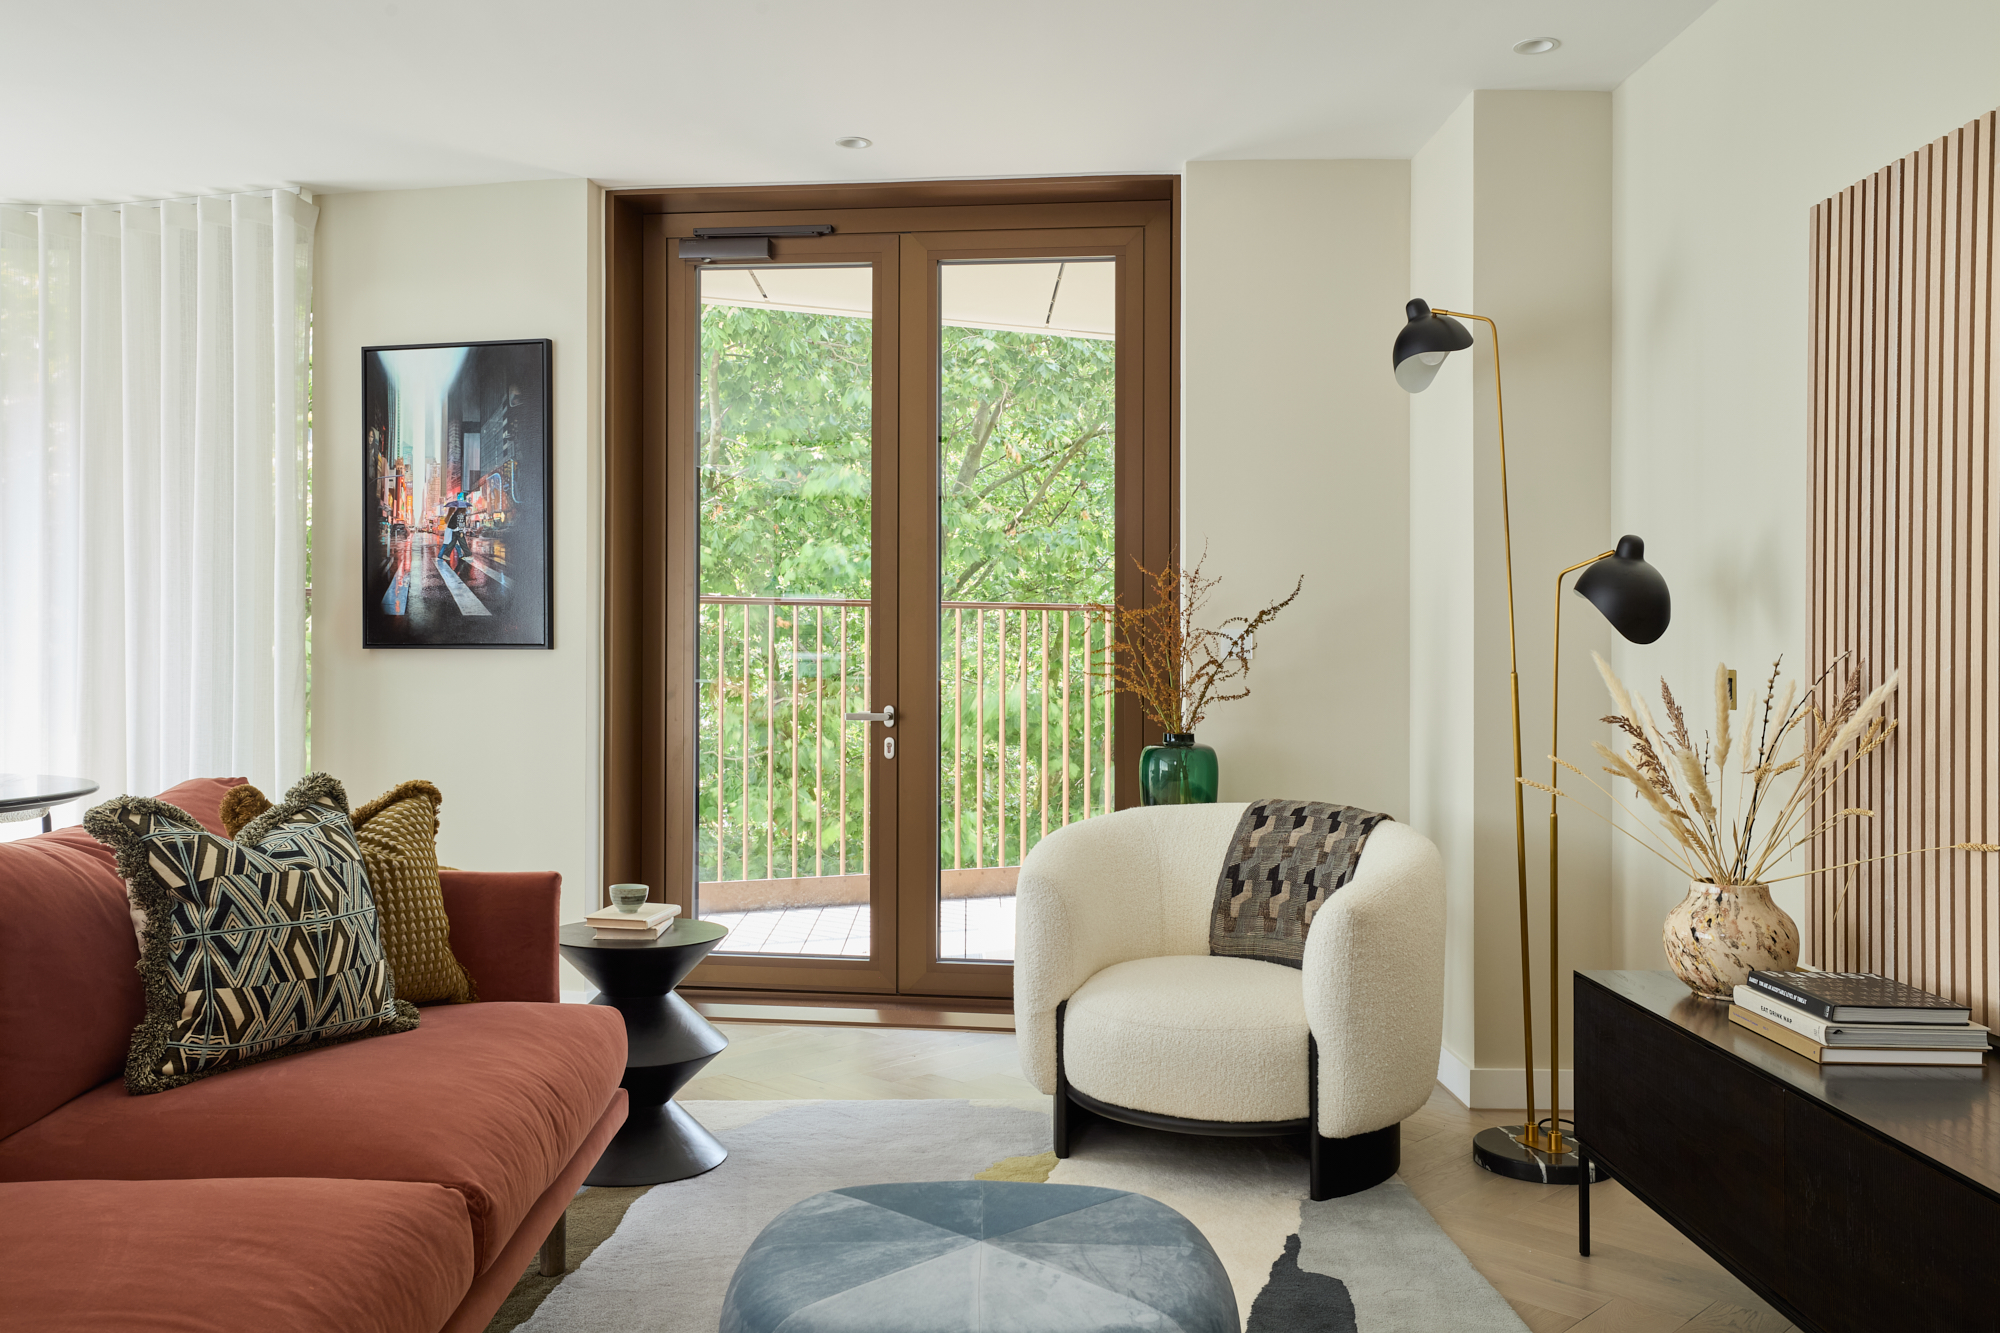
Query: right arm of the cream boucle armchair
{"points": [[1375, 986]]}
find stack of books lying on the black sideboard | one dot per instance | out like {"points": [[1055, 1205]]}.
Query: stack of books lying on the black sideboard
{"points": [[1857, 1020]]}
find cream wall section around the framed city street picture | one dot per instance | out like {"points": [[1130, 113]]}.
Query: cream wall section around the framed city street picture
{"points": [[509, 736]]}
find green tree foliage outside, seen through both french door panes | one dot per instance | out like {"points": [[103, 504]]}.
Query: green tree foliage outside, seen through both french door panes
{"points": [[1027, 515]]}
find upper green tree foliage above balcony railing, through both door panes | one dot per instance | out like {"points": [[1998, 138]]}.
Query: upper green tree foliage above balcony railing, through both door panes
{"points": [[1027, 471]]}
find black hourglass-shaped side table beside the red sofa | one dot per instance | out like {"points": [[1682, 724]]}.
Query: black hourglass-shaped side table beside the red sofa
{"points": [[667, 1044]]}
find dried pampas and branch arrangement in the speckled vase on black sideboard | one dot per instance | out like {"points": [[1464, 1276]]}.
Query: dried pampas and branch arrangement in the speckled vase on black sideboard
{"points": [[1729, 810]]}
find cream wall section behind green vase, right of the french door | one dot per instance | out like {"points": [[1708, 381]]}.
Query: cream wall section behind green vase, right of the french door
{"points": [[1297, 463]]}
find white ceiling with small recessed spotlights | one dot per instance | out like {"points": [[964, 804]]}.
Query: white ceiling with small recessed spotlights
{"points": [[135, 99]]}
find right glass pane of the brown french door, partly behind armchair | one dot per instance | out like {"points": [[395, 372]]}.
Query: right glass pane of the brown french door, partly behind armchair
{"points": [[1027, 489]]}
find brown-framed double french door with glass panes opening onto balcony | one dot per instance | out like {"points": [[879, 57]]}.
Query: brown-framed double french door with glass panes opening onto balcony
{"points": [[895, 467]]}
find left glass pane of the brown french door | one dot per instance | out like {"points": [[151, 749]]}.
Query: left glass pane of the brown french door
{"points": [[785, 607]]}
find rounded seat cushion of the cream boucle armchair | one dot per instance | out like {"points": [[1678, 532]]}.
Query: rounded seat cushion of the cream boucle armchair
{"points": [[1207, 1040]]}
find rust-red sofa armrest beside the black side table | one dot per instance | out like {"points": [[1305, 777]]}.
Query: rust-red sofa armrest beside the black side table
{"points": [[505, 932]]}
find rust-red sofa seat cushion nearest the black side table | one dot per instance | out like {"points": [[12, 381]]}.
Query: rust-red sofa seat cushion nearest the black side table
{"points": [[491, 1100]]}
